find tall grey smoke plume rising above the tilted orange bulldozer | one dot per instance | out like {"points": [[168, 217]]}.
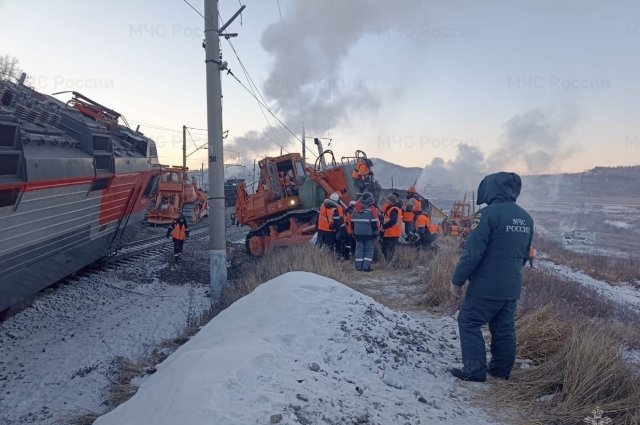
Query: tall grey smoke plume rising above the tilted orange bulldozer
{"points": [[309, 47]]}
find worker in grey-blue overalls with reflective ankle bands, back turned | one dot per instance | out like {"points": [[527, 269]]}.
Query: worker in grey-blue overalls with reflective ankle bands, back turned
{"points": [[365, 227]]}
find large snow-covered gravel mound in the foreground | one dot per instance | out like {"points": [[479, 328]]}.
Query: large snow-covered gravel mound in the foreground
{"points": [[304, 349]]}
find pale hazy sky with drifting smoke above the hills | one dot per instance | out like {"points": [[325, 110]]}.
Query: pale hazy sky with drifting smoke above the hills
{"points": [[532, 86]]}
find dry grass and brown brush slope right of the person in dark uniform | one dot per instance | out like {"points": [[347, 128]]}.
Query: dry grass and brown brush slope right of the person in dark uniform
{"points": [[574, 336]]}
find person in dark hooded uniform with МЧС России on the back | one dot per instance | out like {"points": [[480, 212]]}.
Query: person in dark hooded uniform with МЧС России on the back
{"points": [[495, 251]]}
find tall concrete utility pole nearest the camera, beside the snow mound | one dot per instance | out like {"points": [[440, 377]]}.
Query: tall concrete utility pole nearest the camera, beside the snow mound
{"points": [[217, 233]]}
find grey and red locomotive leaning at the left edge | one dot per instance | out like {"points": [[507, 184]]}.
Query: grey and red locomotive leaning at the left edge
{"points": [[74, 187]]}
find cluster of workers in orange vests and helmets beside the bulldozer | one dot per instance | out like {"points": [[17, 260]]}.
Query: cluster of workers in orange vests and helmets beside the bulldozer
{"points": [[352, 229]]}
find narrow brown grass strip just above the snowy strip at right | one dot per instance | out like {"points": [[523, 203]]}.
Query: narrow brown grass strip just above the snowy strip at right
{"points": [[609, 269]]}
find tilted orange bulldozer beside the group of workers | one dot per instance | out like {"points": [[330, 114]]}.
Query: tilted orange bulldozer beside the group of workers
{"points": [[283, 209]]}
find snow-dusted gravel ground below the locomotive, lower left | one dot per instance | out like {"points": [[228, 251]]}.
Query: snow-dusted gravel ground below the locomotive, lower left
{"points": [[56, 354]]}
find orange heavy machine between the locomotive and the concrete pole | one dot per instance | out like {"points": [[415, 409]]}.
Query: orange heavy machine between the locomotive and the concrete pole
{"points": [[178, 194]]}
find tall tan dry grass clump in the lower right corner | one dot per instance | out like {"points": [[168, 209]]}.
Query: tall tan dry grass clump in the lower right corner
{"points": [[580, 367]]}
